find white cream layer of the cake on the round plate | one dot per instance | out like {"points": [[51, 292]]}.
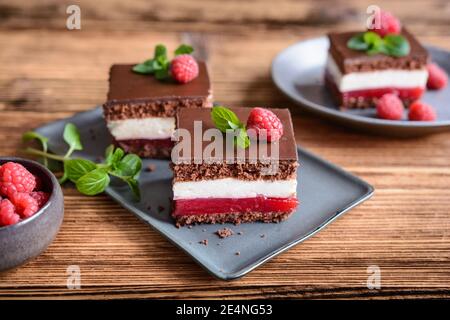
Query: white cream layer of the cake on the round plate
{"points": [[391, 78]]}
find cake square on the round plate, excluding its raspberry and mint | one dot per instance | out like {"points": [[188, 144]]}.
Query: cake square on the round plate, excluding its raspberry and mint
{"points": [[357, 79]]}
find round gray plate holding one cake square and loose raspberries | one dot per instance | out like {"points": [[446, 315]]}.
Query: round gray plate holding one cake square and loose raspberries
{"points": [[298, 72]]}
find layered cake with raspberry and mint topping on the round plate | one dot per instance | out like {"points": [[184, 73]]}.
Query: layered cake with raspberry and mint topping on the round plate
{"points": [[362, 67]]}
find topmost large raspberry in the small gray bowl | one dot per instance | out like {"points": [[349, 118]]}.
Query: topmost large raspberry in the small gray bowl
{"points": [[15, 178]]}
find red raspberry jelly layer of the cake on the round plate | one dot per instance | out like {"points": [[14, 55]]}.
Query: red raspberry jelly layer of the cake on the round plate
{"points": [[409, 94]]}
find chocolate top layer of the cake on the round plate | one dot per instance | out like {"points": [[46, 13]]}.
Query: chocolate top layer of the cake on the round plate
{"points": [[349, 60]]}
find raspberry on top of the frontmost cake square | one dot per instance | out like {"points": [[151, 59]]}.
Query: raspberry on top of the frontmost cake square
{"points": [[264, 119]]}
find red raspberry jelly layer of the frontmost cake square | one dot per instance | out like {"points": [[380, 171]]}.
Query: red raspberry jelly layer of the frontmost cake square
{"points": [[233, 205]]}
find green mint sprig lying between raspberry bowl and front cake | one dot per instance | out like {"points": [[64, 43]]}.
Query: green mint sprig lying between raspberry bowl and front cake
{"points": [[90, 178]]}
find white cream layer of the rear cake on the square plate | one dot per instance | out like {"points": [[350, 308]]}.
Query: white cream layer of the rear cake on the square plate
{"points": [[147, 128]]}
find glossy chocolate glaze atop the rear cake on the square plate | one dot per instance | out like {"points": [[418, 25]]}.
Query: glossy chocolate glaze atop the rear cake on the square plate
{"points": [[126, 85]]}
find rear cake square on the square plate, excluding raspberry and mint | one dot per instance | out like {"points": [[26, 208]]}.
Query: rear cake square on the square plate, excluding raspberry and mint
{"points": [[140, 110]]}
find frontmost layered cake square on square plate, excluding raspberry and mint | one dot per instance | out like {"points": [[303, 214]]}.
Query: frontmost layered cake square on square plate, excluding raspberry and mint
{"points": [[228, 190]]}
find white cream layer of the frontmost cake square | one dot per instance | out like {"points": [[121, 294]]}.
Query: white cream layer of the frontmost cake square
{"points": [[234, 188]]}
